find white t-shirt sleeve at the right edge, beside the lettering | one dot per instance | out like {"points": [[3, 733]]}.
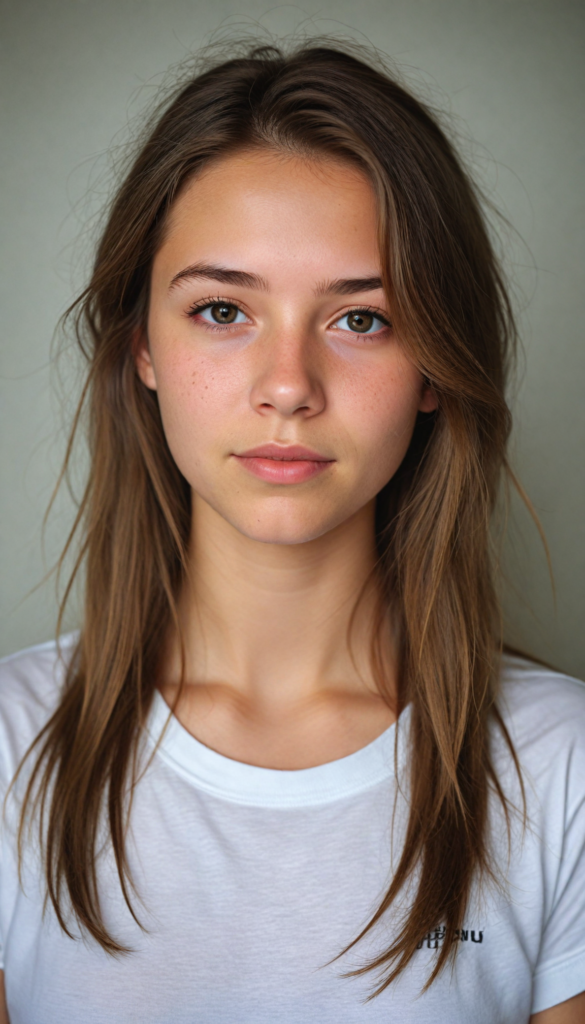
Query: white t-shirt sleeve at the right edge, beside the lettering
{"points": [[561, 970]]}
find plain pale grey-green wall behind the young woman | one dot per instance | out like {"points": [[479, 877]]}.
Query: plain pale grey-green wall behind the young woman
{"points": [[511, 74]]}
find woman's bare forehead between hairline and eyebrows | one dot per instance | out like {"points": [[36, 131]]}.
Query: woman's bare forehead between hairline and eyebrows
{"points": [[272, 210]]}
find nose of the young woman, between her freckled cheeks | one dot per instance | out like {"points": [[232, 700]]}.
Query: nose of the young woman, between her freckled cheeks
{"points": [[287, 379]]}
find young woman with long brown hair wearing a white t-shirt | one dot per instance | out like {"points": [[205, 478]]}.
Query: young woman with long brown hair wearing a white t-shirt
{"points": [[284, 773]]}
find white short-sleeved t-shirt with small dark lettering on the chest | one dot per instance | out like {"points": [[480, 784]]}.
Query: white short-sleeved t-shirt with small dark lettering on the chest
{"points": [[250, 880]]}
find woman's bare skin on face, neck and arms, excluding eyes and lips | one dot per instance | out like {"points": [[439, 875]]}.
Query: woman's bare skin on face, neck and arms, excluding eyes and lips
{"points": [[281, 565]]}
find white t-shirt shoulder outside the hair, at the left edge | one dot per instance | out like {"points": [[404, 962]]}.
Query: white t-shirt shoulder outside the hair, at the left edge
{"points": [[31, 684]]}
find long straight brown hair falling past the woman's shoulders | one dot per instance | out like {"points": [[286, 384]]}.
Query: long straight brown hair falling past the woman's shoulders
{"points": [[452, 314]]}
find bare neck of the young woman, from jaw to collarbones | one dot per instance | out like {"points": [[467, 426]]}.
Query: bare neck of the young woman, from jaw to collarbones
{"points": [[271, 621]]}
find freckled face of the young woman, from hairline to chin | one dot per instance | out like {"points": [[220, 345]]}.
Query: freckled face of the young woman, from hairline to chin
{"points": [[286, 398]]}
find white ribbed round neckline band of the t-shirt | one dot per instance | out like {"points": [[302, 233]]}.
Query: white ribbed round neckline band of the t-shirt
{"points": [[243, 784]]}
